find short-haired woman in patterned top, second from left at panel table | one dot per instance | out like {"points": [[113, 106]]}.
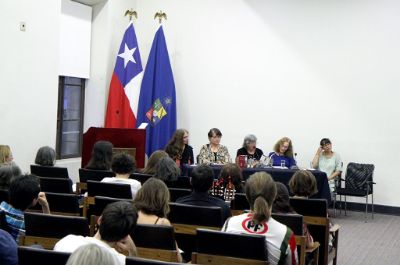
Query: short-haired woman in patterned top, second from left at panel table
{"points": [[214, 152]]}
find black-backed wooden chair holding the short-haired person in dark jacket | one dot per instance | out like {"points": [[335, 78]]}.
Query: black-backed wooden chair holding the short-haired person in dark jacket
{"points": [[187, 218]]}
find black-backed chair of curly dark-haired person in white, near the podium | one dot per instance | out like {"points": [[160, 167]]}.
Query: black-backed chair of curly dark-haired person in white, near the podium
{"points": [[112, 190]]}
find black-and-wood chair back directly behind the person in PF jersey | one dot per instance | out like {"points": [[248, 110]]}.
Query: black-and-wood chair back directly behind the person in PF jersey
{"points": [[220, 248]]}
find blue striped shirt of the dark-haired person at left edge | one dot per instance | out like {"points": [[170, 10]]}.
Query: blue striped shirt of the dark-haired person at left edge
{"points": [[14, 219]]}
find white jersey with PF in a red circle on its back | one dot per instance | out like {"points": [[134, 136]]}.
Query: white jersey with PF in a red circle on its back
{"points": [[281, 244]]}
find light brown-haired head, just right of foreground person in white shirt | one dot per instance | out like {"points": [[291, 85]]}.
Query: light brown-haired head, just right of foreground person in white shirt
{"points": [[153, 198]]}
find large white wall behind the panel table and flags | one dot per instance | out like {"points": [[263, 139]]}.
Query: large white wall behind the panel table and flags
{"points": [[303, 69]]}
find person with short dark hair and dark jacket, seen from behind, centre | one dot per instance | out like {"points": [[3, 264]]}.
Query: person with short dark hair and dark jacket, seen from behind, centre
{"points": [[202, 180]]}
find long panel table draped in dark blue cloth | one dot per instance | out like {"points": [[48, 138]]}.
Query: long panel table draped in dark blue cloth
{"points": [[281, 175]]}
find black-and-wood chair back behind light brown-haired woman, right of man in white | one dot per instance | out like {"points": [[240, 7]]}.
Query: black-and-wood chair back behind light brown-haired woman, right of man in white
{"points": [[155, 242]]}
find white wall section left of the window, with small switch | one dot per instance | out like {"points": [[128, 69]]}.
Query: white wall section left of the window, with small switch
{"points": [[29, 76]]}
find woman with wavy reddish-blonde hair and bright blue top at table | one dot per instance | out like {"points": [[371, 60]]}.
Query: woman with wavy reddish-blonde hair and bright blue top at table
{"points": [[283, 153]]}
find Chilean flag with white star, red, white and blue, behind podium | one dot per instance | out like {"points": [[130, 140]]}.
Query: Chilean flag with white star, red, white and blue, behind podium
{"points": [[125, 84]]}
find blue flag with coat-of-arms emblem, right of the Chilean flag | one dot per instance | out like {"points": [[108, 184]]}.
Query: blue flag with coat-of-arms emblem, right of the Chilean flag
{"points": [[157, 104]]}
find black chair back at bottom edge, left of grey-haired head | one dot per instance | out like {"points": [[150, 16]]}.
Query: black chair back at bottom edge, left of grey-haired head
{"points": [[29, 255]]}
